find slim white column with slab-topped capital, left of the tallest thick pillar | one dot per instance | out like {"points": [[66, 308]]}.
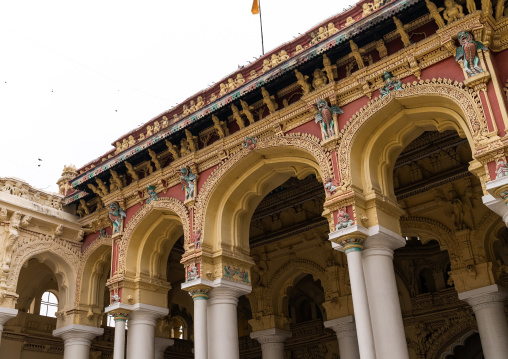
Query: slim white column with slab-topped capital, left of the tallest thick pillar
{"points": [[350, 240]]}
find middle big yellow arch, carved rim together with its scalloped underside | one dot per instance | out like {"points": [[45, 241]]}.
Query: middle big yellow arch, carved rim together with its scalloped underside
{"points": [[303, 150]]}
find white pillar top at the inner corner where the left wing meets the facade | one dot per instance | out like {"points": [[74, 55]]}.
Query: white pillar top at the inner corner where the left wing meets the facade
{"points": [[77, 339]]}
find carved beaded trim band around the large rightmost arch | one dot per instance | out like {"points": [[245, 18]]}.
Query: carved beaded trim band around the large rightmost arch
{"points": [[468, 101]]}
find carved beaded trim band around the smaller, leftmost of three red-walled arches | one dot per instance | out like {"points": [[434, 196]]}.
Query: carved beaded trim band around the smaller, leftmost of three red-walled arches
{"points": [[167, 203]]}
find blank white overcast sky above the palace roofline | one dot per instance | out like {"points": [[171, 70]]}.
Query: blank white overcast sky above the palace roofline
{"points": [[76, 75]]}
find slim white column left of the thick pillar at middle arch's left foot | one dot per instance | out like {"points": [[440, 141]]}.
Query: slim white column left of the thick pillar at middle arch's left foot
{"points": [[200, 298]]}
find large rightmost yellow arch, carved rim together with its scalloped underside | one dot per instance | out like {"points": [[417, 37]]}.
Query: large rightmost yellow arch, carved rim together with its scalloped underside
{"points": [[462, 110]]}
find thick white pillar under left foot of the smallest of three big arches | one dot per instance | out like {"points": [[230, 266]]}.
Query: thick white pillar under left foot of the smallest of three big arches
{"points": [[141, 333]]}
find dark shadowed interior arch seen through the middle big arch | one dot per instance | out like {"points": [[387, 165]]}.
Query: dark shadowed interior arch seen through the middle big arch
{"points": [[285, 277]]}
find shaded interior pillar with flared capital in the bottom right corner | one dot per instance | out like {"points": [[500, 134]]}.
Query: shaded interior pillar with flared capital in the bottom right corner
{"points": [[488, 307]]}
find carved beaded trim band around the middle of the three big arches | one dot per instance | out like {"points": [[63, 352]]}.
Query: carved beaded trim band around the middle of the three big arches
{"points": [[305, 142]]}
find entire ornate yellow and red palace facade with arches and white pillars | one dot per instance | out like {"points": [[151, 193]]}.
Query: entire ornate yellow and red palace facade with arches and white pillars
{"points": [[345, 196]]}
